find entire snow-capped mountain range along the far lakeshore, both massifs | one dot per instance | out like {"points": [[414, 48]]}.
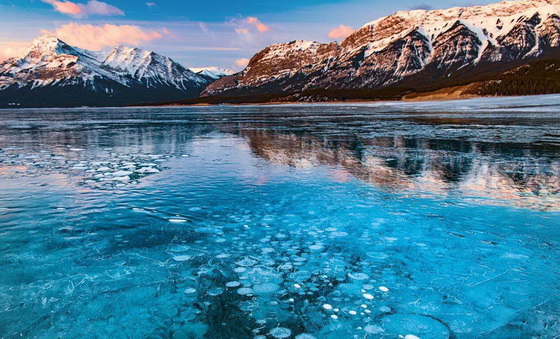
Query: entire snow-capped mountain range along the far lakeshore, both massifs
{"points": [[507, 48]]}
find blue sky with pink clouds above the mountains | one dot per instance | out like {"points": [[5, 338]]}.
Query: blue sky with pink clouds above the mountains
{"points": [[195, 33]]}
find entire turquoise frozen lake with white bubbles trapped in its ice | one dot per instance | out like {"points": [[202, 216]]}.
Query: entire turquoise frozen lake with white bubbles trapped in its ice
{"points": [[434, 220]]}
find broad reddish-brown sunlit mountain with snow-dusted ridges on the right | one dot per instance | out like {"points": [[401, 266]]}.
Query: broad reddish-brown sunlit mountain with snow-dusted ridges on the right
{"points": [[416, 49]]}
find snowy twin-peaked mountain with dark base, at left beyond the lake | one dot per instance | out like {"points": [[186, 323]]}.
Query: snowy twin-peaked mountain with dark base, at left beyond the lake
{"points": [[53, 73]]}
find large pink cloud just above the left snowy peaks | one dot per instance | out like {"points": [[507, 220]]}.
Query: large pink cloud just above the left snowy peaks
{"points": [[98, 37]]}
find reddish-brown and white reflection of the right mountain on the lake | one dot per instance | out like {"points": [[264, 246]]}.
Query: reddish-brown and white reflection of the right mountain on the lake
{"points": [[498, 172]]}
